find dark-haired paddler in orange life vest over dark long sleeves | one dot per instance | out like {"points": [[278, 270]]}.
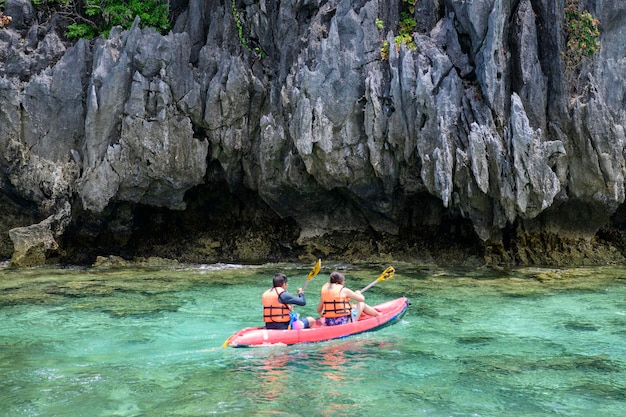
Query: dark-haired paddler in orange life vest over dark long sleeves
{"points": [[278, 305]]}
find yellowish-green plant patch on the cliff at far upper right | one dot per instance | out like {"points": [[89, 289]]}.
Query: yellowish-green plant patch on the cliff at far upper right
{"points": [[582, 34]]}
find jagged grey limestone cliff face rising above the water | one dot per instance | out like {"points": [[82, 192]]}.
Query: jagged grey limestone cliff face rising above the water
{"points": [[286, 135]]}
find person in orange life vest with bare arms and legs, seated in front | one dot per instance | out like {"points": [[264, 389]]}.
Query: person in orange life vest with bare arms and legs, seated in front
{"points": [[334, 305]]}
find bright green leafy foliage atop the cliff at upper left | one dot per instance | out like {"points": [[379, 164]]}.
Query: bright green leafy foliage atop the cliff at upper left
{"points": [[90, 18]]}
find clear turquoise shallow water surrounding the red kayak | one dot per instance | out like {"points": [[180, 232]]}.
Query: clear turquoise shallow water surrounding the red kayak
{"points": [[141, 342]]}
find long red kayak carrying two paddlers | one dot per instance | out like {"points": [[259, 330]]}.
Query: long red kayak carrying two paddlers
{"points": [[391, 312]]}
